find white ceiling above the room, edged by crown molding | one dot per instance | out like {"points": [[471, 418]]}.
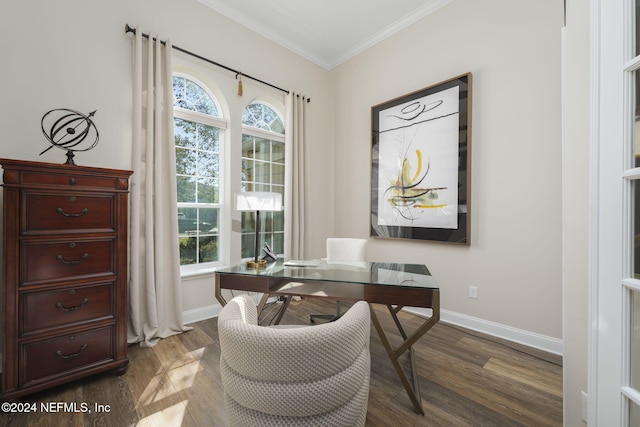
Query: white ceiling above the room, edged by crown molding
{"points": [[326, 32]]}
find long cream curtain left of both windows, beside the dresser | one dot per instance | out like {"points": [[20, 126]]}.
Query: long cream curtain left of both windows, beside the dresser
{"points": [[155, 301]]}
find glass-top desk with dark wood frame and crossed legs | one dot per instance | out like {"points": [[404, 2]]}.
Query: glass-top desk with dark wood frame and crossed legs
{"points": [[391, 284]]}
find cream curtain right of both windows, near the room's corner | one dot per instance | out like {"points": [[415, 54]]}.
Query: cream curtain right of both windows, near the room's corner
{"points": [[295, 180]]}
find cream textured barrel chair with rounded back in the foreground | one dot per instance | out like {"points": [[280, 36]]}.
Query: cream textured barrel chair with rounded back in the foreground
{"points": [[311, 375]]}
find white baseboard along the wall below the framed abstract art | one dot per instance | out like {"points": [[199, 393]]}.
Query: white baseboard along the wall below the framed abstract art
{"points": [[520, 336]]}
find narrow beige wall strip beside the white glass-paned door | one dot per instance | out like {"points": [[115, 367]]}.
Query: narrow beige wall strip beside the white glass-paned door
{"points": [[575, 166]]}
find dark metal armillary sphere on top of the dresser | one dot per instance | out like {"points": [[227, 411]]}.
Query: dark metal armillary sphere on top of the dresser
{"points": [[68, 130]]}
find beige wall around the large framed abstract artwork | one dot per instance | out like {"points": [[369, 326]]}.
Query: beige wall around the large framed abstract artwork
{"points": [[513, 50]]}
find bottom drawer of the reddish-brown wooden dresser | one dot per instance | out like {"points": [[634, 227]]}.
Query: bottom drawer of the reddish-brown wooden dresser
{"points": [[64, 355]]}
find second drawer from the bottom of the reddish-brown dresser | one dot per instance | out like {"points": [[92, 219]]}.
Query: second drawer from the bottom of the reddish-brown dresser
{"points": [[46, 310]]}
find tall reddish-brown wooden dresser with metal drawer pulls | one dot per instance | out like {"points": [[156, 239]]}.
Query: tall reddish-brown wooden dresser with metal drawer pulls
{"points": [[64, 274]]}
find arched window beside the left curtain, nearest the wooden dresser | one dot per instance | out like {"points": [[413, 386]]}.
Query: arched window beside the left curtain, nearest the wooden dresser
{"points": [[198, 128]]}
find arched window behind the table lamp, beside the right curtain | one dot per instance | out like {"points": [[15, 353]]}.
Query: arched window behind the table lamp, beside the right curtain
{"points": [[262, 170]]}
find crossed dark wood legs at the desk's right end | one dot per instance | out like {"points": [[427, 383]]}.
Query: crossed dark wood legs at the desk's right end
{"points": [[413, 390]]}
